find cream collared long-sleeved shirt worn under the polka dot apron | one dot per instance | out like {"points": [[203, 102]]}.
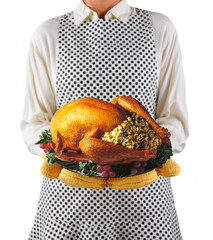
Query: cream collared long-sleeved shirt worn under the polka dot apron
{"points": [[40, 97]]}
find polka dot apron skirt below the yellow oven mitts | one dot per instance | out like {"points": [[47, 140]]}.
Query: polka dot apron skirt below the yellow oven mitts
{"points": [[106, 214]]}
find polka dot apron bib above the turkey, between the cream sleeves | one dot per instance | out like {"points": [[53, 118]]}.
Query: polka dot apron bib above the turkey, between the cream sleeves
{"points": [[106, 58]]}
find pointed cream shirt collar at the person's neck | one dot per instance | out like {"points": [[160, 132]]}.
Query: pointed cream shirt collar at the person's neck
{"points": [[121, 11]]}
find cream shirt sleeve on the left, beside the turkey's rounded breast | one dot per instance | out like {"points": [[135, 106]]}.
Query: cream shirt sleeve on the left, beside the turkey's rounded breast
{"points": [[39, 103]]}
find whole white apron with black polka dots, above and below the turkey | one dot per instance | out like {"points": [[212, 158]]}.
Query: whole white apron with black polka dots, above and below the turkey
{"points": [[103, 59]]}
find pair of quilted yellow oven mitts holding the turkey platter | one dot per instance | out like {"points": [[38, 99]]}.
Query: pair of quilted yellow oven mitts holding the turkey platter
{"points": [[170, 169]]}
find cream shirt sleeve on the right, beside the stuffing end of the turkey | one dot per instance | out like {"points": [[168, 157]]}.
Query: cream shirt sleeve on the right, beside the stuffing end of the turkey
{"points": [[171, 95]]}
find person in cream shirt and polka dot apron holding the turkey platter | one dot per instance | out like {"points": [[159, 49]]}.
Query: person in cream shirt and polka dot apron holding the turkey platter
{"points": [[105, 49]]}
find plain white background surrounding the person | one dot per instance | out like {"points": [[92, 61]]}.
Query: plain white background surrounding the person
{"points": [[20, 176]]}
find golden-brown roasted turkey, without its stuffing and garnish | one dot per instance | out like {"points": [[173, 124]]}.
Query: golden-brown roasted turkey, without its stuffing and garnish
{"points": [[76, 129]]}
